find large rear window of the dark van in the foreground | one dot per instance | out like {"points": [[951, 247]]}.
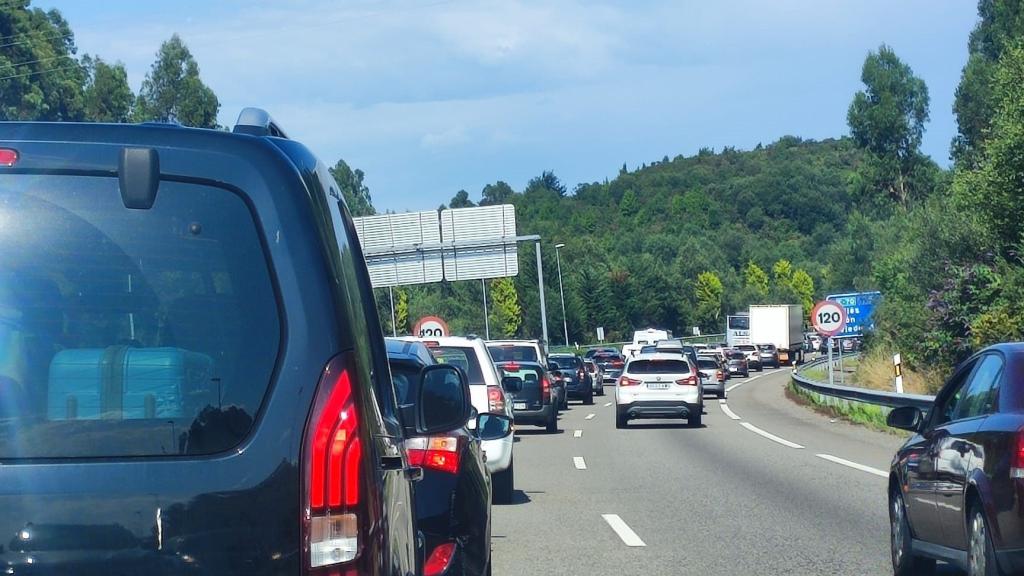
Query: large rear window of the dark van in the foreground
{"points": [[130, 333]]}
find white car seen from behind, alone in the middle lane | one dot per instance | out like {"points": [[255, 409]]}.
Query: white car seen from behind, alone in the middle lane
{"points": [[659, 386]]}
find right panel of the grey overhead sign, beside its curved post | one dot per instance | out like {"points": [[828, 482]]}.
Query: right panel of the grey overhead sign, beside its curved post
{"points": [[480, 242]]}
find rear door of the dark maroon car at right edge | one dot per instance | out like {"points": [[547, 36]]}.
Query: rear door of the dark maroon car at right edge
{"points": [[957, 449]]}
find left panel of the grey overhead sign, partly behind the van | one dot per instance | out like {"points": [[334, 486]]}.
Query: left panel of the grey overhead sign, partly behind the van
{"points": [[402, 250]]}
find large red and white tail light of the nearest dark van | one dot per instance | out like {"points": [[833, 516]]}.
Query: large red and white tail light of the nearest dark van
{"points": [[335, 516]]}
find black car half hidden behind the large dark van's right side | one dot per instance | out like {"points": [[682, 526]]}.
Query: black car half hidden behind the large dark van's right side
{"points": [[453, 501]]}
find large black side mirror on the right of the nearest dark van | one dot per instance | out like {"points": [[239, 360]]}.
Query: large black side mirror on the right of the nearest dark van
{"points": [[443, 404]]}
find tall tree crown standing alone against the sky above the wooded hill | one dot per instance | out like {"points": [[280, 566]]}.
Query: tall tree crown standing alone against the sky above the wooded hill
{"points": [[888, 119]]}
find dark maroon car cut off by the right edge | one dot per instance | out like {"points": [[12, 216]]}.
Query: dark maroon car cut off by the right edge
{"points": [[957, 487]]}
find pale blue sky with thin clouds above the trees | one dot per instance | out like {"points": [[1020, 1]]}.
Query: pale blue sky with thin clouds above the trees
{"points": [[429, 98]]}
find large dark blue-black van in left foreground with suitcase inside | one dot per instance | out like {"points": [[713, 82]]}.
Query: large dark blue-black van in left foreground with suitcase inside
{"points": [[200, 368]]}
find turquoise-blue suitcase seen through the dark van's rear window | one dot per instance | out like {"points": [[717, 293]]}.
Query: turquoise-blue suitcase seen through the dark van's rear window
{"points": [[125, 383]]}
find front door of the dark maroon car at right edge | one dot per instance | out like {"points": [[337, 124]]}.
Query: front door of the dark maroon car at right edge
{"points": [[921, 473]]}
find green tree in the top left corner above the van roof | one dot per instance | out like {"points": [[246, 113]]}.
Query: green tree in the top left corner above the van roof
{"points": [[39, 77]]}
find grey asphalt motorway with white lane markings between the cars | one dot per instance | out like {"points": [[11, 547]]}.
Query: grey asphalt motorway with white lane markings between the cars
{"points": [[662, 499]]}
